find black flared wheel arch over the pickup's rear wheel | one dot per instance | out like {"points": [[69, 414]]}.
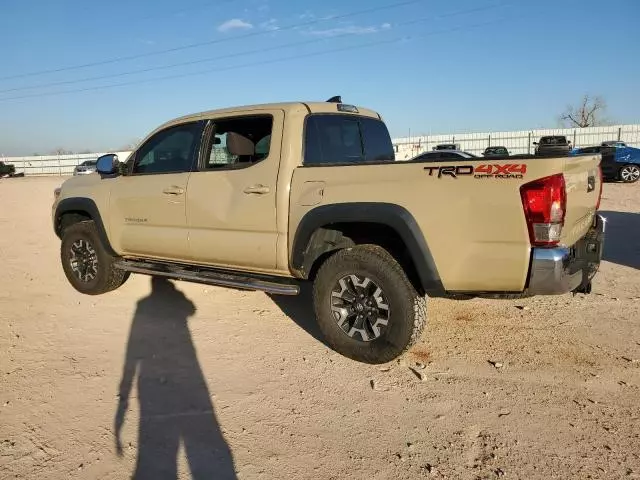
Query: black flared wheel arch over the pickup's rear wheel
{"points": [[328, 228]]}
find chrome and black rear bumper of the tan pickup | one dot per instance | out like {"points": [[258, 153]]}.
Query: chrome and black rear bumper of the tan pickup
{"points": [[555, 271]]}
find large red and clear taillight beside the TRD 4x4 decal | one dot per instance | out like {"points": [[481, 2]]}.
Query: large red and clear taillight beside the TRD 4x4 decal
{"points": [[545, 204]]}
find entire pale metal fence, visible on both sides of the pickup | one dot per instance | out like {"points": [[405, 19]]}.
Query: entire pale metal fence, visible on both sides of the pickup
{"points": [[517, 142]]}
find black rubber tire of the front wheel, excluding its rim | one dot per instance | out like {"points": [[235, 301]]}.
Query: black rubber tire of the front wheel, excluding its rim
{"points": [[107, 276]]}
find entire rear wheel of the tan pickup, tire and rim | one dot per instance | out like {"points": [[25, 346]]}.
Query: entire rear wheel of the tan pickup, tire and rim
{"points": [[365, 305]]}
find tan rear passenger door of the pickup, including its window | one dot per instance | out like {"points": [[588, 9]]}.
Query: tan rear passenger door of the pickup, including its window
{"points": [[231, 198]]}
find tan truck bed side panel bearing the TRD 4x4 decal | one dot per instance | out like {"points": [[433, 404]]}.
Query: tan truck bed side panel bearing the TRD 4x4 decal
{"points": [[474, 226]]}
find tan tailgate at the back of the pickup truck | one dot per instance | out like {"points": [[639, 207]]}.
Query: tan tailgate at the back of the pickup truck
{"points": [[582, 178]]}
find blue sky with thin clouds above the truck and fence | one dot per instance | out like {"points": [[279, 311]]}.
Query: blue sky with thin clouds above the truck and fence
{"points": [[432, 66]]}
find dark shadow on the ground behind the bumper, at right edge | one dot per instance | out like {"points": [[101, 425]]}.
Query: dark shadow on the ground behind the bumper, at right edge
{"points": [[622, 240]]}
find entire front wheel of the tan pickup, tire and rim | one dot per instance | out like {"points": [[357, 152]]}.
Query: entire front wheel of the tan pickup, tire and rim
{"points": [[86, 263]]}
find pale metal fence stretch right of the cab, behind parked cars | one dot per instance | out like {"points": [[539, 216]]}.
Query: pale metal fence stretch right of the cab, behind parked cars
{"points": [[517, 142]]}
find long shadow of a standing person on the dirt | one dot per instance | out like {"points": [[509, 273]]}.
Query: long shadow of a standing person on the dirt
{"points": [[175, 404]]}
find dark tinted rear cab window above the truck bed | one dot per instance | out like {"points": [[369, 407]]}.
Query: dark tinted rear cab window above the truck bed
{"points": [[333, 139]]}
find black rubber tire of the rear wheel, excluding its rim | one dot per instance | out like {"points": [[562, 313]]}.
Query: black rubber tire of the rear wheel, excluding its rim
{"points": [[407, 308]]}
